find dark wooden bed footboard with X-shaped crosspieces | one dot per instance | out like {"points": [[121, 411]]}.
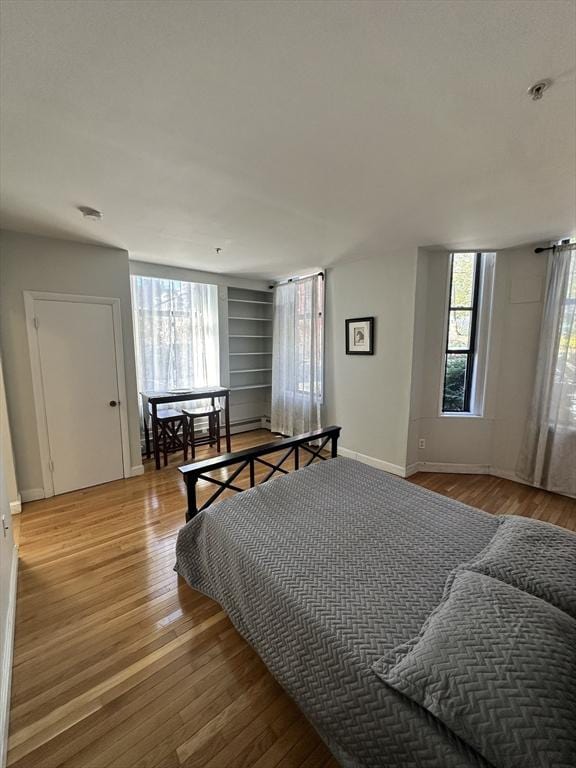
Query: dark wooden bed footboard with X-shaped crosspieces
{"points": [[249, 457]]}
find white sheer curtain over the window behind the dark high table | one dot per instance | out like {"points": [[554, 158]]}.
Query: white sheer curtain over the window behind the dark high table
{"points": [[175, 334]]}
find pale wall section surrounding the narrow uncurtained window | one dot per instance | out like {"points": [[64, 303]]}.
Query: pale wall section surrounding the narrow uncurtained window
{"points": [[490, 442]]}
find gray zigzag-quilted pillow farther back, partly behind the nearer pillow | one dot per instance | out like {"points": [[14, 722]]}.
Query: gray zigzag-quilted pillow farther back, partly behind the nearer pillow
{"points": [[537, 557]]}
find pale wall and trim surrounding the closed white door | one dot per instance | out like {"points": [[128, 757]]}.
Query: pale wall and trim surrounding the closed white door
{"points": [[44, 264]]}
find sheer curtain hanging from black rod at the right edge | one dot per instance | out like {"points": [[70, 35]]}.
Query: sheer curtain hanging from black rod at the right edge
{"points": [[548, 455]]}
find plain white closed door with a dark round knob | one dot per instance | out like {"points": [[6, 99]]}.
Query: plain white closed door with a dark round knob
{"points": [[80, 387]]}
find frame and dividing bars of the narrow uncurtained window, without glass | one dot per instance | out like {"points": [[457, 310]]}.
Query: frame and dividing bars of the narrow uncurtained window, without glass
{"points": [[471, 351]]}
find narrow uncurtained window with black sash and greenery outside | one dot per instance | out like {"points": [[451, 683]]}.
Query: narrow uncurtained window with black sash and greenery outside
{"points": [[462, 331]]}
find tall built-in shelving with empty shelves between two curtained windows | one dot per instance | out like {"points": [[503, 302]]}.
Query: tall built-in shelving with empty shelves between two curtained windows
{"points": [[250, 355]]}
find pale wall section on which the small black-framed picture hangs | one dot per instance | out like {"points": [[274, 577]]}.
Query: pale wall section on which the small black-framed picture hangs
{"points": [[369, 396]]}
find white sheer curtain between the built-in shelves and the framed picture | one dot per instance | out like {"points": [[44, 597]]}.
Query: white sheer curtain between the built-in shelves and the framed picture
{"points": [[298, 354]]}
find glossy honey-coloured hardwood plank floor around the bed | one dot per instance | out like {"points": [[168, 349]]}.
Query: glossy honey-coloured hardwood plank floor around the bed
{"points": [[119, 663]]}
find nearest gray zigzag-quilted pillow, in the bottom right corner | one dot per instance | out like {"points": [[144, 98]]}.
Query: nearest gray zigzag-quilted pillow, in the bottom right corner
{"points": [[498, 667]]}
